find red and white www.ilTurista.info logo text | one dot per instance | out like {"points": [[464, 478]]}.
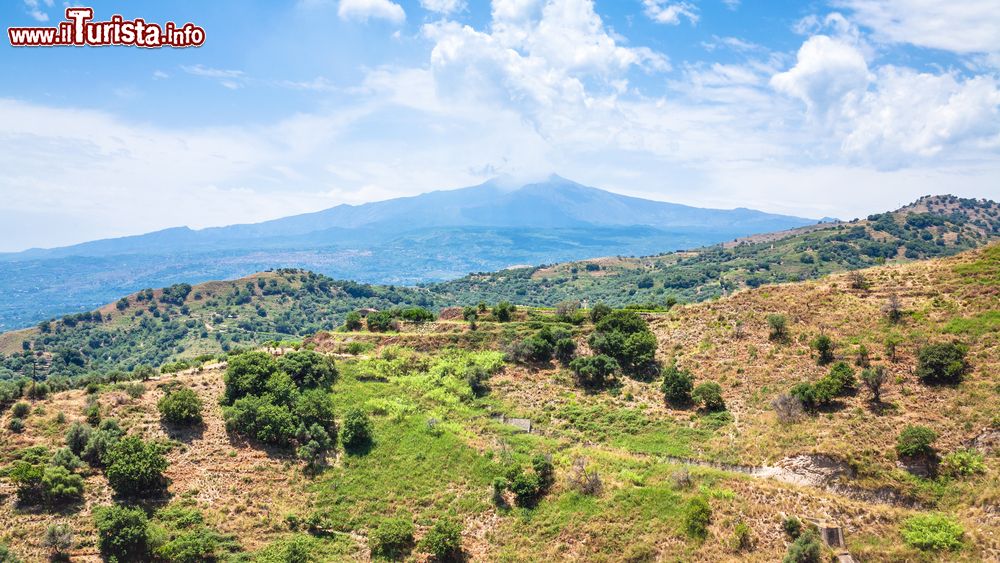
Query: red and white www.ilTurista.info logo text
{"points": [[78, 30]]}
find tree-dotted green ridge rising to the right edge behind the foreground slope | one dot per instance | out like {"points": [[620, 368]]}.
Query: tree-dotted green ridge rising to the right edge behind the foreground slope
{"points": [[931, 227]]}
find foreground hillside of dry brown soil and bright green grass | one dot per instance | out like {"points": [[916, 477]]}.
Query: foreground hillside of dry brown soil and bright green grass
{"points": [[439, 443]]}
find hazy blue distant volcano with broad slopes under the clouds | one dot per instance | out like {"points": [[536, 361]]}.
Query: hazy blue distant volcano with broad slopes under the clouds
{"points": [[430, 237]]}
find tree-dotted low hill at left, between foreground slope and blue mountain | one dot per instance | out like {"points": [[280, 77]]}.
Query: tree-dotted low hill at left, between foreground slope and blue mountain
{"points": [[153, 327]]}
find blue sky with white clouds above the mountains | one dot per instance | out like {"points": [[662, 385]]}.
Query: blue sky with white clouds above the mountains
{"points": [[820, 108]]}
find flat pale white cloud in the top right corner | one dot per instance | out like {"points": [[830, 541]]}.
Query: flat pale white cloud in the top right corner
{"points": [[966, 26]]}
